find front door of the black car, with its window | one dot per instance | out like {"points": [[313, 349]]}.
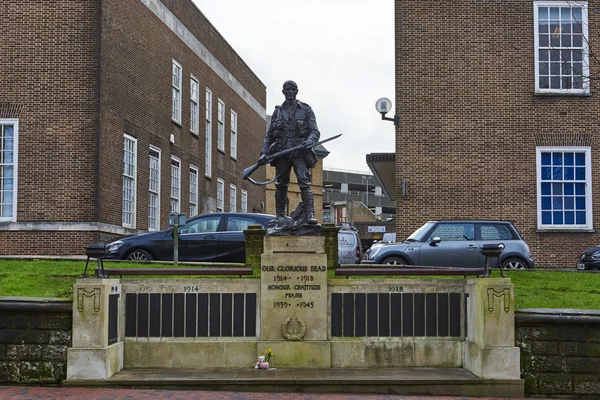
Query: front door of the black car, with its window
{"points": [[199, 238]]}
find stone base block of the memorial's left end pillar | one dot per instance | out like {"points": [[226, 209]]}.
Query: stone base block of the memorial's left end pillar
{"points": [[94, 363]]}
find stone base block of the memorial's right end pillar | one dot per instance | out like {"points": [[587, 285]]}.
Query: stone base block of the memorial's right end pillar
{"points": [[492, 362]]}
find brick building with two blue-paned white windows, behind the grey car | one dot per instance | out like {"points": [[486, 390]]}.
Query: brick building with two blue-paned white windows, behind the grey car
{"points": [[499, 119]]}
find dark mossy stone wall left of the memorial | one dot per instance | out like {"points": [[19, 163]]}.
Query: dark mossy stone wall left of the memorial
{"points": [[34, 336]]}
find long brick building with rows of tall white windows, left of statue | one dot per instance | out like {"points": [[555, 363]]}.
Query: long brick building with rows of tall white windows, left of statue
{"points": [[114, 113]]}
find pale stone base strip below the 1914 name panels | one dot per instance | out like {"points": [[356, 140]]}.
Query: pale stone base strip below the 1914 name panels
{"points": [[190, 354]]}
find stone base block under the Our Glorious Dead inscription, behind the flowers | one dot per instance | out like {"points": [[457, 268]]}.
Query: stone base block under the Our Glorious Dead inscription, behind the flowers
{"points": [[286, 354]]}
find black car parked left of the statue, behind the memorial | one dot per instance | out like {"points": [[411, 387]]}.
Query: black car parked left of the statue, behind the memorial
{"points": [[217, 237]]}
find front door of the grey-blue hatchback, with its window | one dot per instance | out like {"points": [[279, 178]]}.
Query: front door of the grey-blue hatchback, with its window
{"points": [[457, 247]]}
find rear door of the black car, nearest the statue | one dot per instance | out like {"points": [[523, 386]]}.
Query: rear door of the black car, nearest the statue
{"points": [[232, 245]]}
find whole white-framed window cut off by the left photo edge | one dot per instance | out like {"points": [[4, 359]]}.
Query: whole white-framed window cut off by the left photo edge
{"points": [[8, 169]]}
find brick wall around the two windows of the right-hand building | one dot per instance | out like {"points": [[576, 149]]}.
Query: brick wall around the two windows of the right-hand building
{"points": [[470, 120]]}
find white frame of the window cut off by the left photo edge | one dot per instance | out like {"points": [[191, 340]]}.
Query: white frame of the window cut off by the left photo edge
{"points": [[15, 169]]}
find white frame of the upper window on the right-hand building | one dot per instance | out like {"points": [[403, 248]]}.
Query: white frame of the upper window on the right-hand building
{"points": [[539, 48]]}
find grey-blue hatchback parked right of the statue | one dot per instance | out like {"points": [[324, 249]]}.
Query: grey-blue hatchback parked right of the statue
{"points": [[455, 243]]}
